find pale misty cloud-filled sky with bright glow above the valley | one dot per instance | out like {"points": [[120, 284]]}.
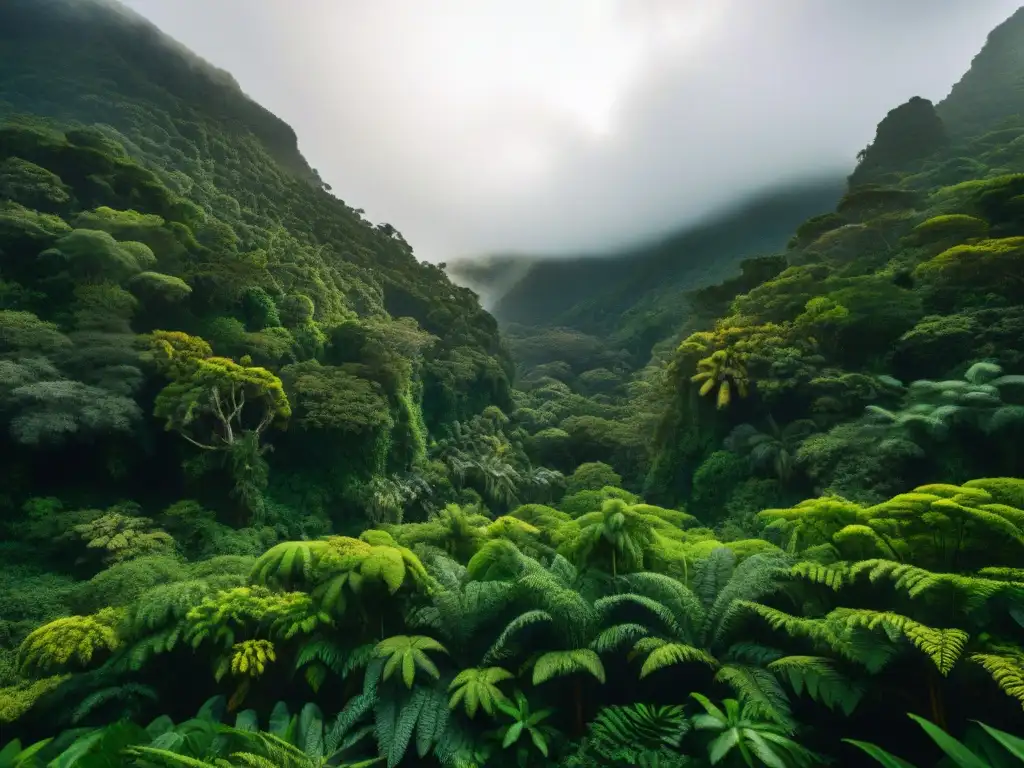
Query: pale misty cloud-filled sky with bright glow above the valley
{"points": [[554, 126]]}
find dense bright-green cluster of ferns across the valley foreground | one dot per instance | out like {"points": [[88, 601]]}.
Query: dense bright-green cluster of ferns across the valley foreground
{"points": [[553, 637]]}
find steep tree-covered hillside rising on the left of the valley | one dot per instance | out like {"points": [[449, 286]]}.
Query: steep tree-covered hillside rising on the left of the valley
{"points": [[116, 141]]}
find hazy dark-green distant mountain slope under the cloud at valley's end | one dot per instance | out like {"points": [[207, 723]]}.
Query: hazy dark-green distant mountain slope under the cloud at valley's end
{"points": [[634, 294]]}
